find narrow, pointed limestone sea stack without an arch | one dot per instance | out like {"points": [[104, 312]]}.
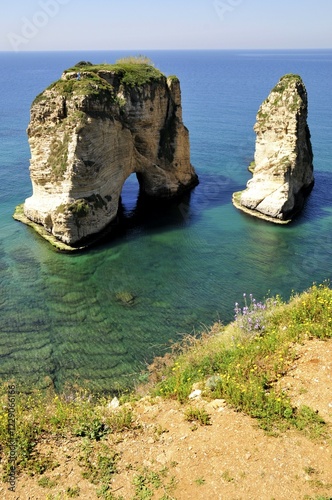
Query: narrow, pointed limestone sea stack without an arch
{"points": [[282, 170]]}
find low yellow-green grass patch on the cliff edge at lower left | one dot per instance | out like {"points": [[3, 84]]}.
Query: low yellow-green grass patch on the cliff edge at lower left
{"points": [[41, 415]]}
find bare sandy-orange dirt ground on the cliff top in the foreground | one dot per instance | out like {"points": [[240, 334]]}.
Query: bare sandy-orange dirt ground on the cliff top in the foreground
{"points": [[230, 459]]}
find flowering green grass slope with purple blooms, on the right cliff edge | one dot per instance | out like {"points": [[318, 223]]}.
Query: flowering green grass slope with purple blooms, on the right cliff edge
{"points": [[243, 362]]}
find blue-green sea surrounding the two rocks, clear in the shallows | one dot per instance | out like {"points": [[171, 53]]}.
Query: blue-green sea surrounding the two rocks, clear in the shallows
{"points": [[61, 323]]}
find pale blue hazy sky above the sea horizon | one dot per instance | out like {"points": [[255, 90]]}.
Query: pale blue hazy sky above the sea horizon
{"points": [[172, 24]]}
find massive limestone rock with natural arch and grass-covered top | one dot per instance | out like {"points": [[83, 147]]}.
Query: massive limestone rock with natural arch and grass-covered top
{"points": [[92, 129]]}
